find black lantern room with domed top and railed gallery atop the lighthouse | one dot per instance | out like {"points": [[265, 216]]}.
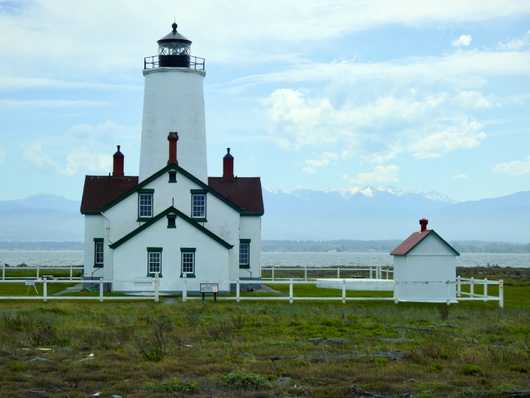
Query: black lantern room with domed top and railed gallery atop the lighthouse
{"points": [[174, 52]]}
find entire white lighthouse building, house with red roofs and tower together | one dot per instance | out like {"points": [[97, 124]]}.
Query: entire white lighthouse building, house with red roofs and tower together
{"points": [[172, 219]]}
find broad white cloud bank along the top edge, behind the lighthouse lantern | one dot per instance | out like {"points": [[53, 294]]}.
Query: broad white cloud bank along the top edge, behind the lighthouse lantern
{"points": [[244, 30]]}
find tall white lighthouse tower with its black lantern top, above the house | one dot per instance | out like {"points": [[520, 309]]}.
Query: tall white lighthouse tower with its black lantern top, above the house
{"points": [[173, 101]]}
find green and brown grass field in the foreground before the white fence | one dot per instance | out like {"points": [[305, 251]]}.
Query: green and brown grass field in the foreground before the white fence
{"points": [[256, 349]]}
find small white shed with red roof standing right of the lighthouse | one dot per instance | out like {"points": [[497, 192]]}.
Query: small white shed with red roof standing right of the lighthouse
{"points": [[425, 268]]}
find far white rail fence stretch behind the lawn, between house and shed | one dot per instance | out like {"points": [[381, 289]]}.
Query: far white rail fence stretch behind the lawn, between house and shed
{"points": [[305, 272]]}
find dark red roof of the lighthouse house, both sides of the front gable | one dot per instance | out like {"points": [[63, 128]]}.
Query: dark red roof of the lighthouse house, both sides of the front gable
{"points": [[101, 191]]}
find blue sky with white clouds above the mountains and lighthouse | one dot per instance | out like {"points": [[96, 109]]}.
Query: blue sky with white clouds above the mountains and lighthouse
{"points": [[413, 96]]}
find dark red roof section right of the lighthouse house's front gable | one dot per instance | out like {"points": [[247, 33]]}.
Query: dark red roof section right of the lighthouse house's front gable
{"points": [[245, 192]]}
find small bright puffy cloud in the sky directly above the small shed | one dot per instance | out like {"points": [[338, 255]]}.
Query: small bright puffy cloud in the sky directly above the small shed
{"points": [[466, 135]]}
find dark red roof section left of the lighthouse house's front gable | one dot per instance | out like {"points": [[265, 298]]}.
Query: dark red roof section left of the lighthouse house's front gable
{"points": [[99, 191]]}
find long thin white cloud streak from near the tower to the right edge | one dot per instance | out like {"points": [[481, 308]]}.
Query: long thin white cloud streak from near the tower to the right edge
{"points": [[460, 67]]}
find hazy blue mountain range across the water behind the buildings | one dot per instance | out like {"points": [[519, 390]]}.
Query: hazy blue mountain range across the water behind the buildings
{"points": [[370, 214]]}
